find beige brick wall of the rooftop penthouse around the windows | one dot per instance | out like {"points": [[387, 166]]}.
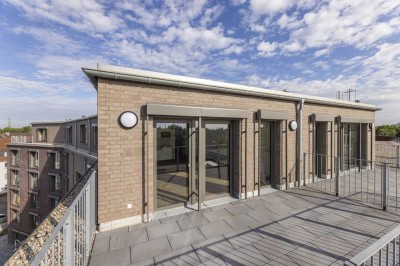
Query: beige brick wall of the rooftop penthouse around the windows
{"points": [[123, 166]]}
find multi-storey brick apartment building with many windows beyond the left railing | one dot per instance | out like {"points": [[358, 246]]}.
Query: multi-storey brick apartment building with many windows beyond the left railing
{"points": [[42, 171]]}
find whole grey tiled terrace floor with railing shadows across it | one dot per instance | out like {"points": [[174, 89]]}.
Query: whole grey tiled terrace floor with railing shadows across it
{"points": [[294, 227]]}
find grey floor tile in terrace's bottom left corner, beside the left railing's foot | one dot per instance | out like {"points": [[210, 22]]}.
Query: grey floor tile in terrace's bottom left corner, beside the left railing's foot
{"points": [[117, 257]]}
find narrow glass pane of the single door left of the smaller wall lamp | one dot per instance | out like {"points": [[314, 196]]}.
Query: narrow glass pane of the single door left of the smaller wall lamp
{"points": [[265, 153]]}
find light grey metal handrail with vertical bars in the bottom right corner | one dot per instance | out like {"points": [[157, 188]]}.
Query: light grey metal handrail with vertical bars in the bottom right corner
{"points": [[377, 247]]}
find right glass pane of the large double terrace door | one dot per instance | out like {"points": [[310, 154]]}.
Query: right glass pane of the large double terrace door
{"points": [[217, 159]]}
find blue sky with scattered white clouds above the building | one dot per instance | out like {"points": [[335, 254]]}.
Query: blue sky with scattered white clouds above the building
{"points": [[304, 46]]}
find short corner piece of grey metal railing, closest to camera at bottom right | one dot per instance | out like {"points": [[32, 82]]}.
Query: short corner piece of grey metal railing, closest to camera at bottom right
{"points": [[385, 251]]}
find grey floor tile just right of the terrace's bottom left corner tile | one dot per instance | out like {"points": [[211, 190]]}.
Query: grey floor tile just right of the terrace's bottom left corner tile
{"points": [[150, 249]]}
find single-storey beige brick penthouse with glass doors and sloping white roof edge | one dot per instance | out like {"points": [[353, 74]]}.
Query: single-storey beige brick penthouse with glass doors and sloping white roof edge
{"points": [[169, 141]]}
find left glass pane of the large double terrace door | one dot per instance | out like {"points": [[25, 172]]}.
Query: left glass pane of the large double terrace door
{"points": [[172, 164]]}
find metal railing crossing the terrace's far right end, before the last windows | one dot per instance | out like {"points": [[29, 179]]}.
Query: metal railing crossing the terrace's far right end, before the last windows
{"points": [[372, 182]]}
